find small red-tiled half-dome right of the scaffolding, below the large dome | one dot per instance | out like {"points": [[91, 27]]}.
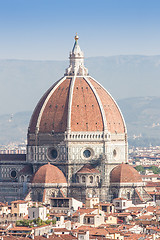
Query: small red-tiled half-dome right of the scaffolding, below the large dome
{"points": [[124, 173]]}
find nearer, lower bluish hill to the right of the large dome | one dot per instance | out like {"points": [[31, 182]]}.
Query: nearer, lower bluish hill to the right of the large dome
{"points": [[142, 116]]}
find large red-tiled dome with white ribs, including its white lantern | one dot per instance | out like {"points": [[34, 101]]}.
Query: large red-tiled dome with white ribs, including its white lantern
{"points": [[77, 103]]}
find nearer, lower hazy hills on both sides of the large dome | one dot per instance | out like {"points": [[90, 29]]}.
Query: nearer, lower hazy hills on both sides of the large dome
{"points": [[142, 116]]}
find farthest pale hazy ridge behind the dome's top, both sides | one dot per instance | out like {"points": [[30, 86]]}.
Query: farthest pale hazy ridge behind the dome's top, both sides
{"points": [[23, 82]]}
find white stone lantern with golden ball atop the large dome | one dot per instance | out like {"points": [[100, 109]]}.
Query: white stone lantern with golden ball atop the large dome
{"points": [[76, 57]]}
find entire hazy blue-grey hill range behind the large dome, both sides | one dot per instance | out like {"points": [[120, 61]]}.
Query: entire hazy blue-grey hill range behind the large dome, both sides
{"points": [[128, 78]]}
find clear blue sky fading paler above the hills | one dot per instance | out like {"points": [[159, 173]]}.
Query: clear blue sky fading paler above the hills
{"points": [[44, 29]]}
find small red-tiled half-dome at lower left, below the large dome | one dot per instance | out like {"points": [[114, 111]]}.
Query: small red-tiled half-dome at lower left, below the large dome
{"points": [[49, 174]]}
